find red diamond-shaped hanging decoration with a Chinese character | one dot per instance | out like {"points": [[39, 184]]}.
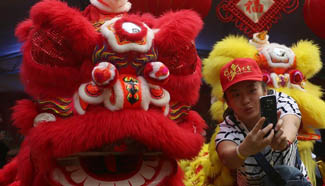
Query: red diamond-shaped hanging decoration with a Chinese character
{"points": [[253, 16]]}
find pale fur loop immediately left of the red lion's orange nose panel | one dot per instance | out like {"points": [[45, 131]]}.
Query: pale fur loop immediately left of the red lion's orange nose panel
{"points": [[119, 97]]}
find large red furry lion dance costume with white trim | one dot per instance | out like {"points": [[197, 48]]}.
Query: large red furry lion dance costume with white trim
{"points": [[112, 97]]}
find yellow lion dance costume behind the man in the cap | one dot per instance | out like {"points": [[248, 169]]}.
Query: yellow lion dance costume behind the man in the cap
{"points": [[286, 70]]}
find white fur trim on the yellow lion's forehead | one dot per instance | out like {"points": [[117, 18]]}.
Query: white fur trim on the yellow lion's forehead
{"points": [[274, 51]]}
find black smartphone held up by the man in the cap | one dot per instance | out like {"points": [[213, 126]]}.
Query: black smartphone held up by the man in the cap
{"points": [[269, 110]]}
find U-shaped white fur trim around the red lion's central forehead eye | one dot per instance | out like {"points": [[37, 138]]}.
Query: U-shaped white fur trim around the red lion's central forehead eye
{"points": [[110, 36]]}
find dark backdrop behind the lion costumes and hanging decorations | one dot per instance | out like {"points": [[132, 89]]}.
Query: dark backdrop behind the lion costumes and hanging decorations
{"points": [[289, 29]]}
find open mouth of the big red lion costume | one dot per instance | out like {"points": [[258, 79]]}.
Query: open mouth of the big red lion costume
{"points": [[124, 168]]}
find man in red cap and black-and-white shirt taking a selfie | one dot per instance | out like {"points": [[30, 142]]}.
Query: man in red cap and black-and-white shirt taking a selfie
{"points": [[241, 135]]}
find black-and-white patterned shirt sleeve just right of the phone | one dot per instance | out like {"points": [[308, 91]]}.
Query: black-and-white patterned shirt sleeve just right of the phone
{"points": [[287, 105]]}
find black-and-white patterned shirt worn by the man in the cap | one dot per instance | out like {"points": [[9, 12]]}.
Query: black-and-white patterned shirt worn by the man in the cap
{"points": [[250, 173]]}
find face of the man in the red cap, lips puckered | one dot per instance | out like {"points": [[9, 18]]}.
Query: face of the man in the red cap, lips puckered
{"points": [[243, 99]]}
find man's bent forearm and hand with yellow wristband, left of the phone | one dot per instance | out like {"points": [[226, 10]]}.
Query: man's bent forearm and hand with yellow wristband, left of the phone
{"points": [[254, 142]]}
